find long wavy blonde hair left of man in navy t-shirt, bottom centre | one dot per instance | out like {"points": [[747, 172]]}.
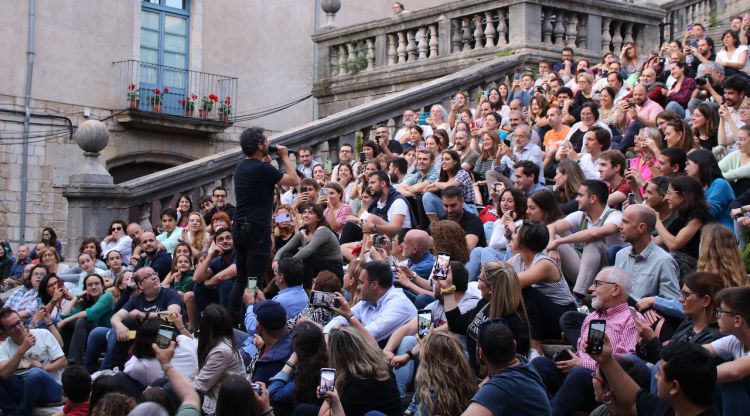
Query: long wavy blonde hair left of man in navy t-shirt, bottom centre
{"points": [[439, 348]]}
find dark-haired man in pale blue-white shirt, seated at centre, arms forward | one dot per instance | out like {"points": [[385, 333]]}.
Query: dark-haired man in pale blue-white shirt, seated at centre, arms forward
{"points": [[383, 308]]}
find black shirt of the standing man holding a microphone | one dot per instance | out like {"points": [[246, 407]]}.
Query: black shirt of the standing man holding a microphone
{"points": [[253, 187]]}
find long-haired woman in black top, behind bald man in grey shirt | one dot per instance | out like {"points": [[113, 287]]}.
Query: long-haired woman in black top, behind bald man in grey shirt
{"points": [[682, 237]]}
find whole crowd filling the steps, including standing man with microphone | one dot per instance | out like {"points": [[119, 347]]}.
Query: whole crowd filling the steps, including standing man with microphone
{"points": [[574, 242]]}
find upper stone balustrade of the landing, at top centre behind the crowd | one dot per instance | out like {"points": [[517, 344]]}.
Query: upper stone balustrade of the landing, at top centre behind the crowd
{"points": [[379, 57]]}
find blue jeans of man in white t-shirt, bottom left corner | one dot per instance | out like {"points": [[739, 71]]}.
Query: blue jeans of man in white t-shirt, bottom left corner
{"points": [[36, 387]]}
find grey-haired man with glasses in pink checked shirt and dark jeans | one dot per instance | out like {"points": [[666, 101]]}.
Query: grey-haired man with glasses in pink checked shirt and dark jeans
{"points": [[569, 381]]}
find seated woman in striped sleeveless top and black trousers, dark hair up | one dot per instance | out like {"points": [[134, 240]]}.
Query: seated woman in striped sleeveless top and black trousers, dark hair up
{"points": [[545, 291]]}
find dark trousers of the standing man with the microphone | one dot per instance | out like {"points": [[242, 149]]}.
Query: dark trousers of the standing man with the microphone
{"points": [[252, 246]]}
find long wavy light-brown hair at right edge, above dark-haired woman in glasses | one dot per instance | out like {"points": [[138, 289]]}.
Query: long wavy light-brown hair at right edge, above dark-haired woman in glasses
{"points": [[718, 253]]}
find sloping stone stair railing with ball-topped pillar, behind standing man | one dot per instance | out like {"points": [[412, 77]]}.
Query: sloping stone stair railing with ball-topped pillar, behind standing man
{"points": [[94, 200]]}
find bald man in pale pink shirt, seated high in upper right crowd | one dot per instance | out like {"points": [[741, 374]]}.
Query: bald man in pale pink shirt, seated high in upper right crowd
{"points": [[638, 112]]}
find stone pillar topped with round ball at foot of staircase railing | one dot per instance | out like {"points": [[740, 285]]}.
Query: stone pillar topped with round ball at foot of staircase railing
{"points": [[91, 194]]}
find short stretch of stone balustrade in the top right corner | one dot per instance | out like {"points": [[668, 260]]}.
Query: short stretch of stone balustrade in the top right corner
{"points": [[709, 13]]}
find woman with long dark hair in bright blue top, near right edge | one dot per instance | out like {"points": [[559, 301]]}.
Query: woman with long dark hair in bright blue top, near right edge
{"points": [[702, 165]]}
